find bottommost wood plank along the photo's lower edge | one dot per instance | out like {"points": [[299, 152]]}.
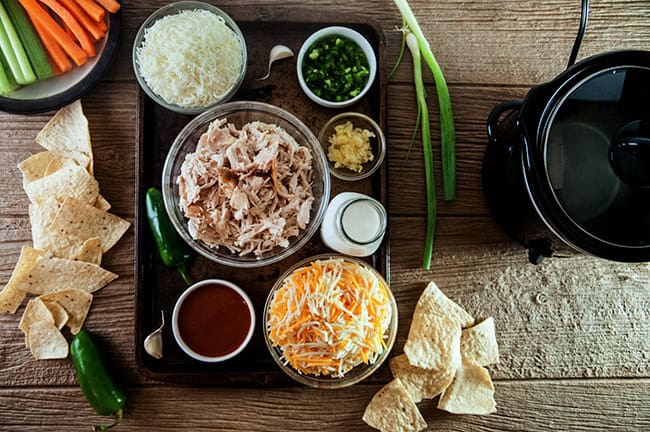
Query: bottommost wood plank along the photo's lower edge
{"points": [[532, 406]]}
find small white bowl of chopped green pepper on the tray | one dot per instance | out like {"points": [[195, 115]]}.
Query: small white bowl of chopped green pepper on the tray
{"points": [[336, 67]]}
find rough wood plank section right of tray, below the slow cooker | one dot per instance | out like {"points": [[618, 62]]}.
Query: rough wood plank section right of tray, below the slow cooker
{"points": [[572, 317]]}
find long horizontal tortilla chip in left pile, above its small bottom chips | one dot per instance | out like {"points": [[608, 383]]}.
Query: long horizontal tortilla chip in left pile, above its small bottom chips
{"points": [[57, 274]]}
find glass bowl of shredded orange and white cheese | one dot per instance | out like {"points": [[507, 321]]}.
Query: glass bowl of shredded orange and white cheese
{"points": [[330, 321]]}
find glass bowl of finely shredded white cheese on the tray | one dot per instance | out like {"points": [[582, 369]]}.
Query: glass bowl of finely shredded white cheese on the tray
{"points": [[189, 56]]}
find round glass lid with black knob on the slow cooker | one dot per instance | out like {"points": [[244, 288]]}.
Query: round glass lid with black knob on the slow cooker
{"points": [[596, 148]]}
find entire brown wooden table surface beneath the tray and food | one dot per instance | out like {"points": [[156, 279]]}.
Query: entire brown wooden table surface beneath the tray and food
{"points": [[574, 334]]}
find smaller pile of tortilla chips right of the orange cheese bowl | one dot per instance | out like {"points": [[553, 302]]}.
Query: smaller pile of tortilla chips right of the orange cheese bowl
{"points": [[444, 354]]}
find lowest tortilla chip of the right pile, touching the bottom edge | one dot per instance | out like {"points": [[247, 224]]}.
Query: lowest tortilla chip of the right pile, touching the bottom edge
{"points": [[392, 410]]}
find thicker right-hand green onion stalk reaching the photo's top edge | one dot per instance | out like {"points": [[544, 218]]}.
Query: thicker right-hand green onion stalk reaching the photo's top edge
{"points": [[447, 130]]}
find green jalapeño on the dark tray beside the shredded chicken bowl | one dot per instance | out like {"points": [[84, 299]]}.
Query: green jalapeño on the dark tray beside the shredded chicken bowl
{"points": [[174, 252]]}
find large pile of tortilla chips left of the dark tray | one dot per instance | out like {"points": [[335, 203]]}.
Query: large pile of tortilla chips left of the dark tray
{"points": [[71, 229]]}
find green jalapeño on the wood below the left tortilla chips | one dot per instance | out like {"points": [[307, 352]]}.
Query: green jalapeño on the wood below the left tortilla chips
{"points": [[102, 393]]}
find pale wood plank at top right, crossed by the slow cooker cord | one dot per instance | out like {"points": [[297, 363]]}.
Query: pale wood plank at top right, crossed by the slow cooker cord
{"points": [[524, 42]]}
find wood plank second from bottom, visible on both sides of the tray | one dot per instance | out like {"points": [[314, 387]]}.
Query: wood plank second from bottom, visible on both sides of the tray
{"points": [[568, 318]]}
